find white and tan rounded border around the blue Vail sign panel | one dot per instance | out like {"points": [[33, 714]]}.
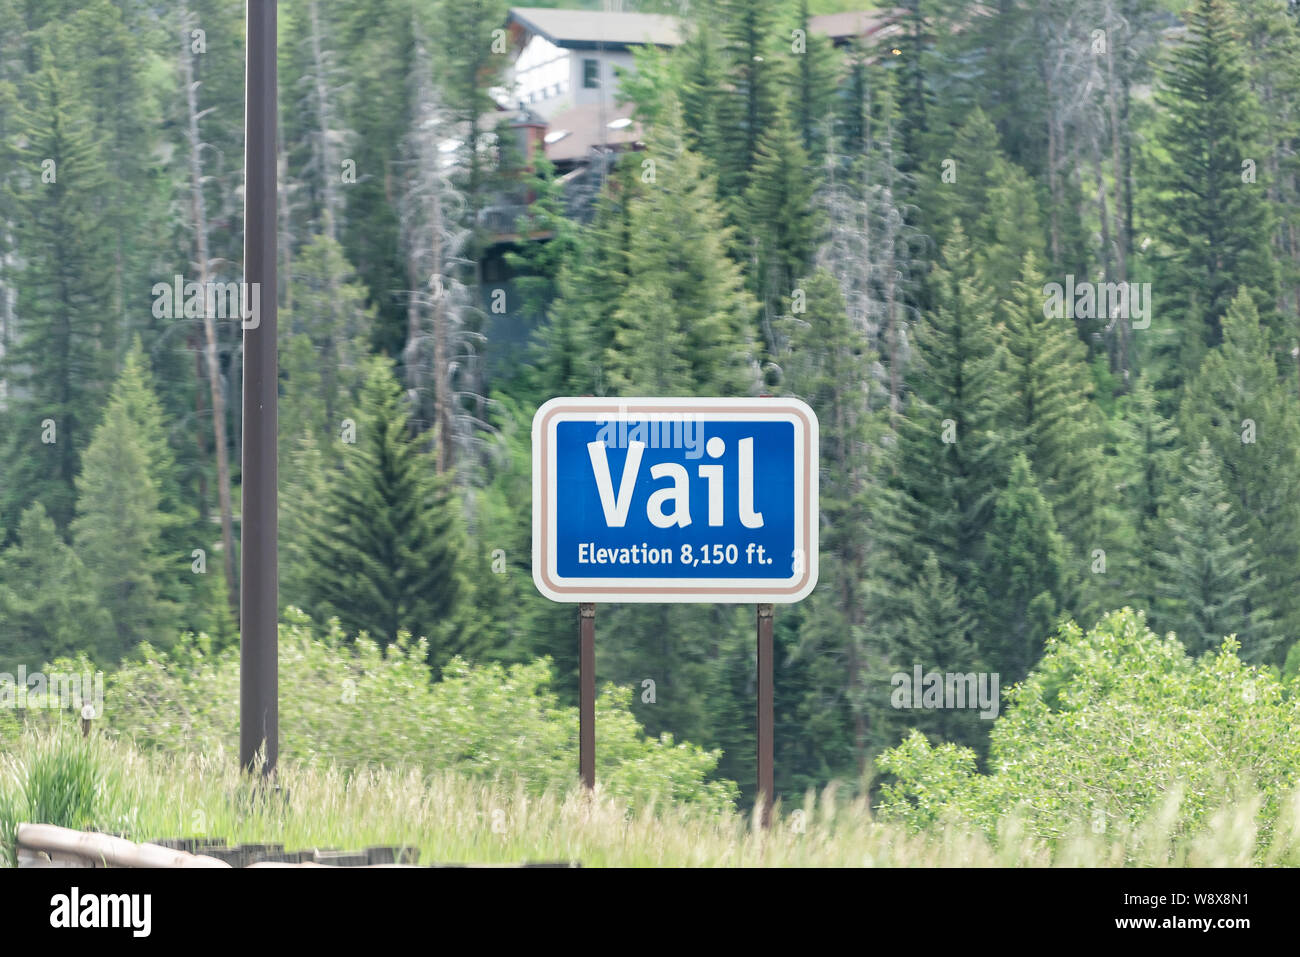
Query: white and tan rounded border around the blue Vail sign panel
{"points": [[674, 591]]}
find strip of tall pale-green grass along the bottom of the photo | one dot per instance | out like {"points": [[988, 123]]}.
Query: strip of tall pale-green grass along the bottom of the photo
{"points": [[452, 819]]}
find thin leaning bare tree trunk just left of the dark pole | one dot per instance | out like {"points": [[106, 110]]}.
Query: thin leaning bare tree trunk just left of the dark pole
{"points": [[210, 328]]}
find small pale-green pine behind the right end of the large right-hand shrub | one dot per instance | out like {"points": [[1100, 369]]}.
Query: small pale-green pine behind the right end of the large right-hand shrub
{"points": [[1210, 584]]}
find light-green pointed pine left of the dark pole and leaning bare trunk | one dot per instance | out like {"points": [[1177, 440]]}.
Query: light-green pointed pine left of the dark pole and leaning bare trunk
{"points": [[120, 531]]}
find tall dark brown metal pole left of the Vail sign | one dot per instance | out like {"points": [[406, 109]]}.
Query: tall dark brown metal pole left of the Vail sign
{"points": [[259, 581]]}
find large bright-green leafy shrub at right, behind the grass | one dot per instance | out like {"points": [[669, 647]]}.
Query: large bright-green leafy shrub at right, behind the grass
{"points": [[1108, 730]]}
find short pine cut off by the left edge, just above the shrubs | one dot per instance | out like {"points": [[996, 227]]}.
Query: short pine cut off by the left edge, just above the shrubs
{"points": [[46, 609]]}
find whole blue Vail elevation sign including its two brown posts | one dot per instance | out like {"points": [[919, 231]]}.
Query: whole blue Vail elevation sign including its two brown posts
{"points": [[657, 500]]}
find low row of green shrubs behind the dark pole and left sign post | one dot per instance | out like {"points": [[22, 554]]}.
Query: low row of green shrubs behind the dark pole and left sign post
{"points": [[353, 704]]}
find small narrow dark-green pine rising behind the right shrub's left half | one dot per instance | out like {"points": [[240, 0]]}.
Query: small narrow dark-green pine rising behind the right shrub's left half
{"points": [[1026, 573]]}
